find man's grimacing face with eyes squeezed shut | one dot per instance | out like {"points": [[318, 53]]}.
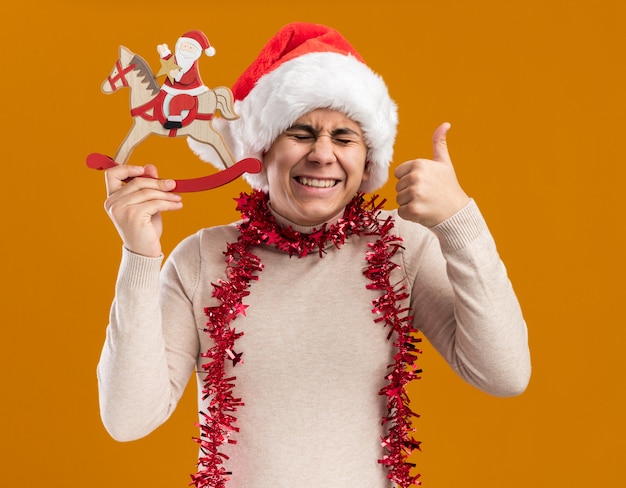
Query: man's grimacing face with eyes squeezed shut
{"points": [[315, 167]]}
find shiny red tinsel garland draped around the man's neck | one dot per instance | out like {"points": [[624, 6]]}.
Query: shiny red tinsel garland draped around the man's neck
{"points": [[258, 227]]}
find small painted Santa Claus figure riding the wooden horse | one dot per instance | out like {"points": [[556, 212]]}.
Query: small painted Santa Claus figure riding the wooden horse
{"points": [[183, 83]]}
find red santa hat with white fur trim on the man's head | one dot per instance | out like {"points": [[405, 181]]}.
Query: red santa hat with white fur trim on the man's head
{"points": [[302, 68]]}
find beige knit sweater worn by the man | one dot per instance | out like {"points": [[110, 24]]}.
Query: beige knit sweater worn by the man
{"points": [[314, 361]]}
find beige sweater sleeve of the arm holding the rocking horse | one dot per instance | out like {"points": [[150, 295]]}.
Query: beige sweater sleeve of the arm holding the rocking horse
{"points": [[150, 347]]}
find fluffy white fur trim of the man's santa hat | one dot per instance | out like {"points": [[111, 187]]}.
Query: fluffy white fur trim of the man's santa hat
{"points": [[298, 86]]}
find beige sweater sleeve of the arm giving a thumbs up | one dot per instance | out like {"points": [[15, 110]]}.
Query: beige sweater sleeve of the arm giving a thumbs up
{"points": [[465, 305]]}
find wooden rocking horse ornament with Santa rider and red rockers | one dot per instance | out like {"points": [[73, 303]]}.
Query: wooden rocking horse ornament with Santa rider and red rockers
{"points": [[182, 106]]}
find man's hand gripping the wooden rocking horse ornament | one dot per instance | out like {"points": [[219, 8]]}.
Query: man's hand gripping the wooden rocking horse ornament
{"points": [[135, 207]]}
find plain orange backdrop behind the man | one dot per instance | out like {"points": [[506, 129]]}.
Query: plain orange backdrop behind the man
{"points": [[535, 94]]}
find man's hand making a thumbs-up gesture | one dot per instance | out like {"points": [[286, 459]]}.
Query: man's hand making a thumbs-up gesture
{"points": [[428, 191]]}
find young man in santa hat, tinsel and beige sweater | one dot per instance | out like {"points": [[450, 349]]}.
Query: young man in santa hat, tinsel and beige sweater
{"points": [[299, 322]]}
